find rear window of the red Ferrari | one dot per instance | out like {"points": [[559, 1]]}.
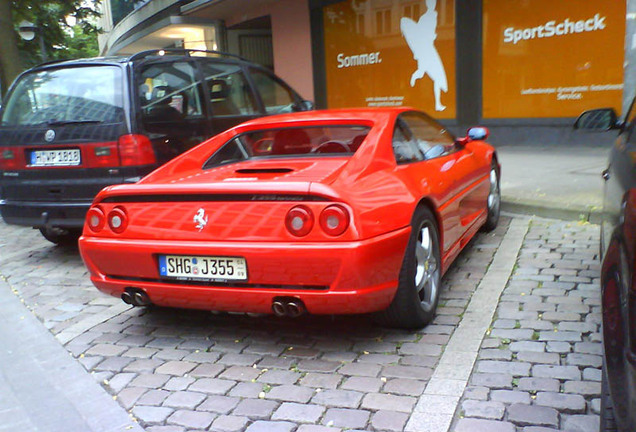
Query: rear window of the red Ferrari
{"points": [[305, 141]]}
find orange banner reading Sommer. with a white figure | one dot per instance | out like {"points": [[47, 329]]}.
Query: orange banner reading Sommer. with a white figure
{"points": [[391, 53]]}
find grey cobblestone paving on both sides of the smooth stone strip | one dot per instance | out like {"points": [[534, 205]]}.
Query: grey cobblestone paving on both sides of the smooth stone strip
{"points": [[179, 370]]}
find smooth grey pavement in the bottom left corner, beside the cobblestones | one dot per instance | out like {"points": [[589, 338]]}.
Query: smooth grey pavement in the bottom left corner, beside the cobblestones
{"points": [[38, 372]]}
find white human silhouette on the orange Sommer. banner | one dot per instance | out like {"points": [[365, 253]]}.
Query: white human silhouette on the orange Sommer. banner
{"points": [[420, 37]]}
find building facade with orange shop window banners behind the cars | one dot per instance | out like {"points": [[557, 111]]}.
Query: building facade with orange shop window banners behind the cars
{"points": [[528, 65]]}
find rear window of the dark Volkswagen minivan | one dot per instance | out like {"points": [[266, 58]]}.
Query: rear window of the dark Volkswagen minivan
{"points": [[68, 95]]}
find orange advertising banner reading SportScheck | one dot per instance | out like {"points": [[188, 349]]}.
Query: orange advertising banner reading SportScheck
{"points": [[547, 58]]}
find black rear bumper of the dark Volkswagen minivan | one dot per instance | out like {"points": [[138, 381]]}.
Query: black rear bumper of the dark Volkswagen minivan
{"points": [[41, 214]]}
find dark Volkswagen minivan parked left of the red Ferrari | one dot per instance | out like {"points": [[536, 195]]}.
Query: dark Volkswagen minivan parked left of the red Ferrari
{"points": [[70, 128]]}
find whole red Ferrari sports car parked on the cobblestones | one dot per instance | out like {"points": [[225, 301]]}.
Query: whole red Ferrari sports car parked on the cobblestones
{"points": [[324, 212]]}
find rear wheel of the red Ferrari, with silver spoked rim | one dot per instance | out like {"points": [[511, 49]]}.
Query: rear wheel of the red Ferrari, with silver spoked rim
{"points": [[419, 282]]}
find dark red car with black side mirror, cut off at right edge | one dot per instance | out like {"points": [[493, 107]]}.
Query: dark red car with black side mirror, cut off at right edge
{"points": [[618, 279]]}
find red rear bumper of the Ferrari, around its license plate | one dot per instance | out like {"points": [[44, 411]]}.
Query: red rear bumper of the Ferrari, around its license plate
{"points": [[330, 278]]}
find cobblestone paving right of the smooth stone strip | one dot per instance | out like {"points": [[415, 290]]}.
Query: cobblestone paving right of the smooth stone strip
{"points": [[539, 369]]}
